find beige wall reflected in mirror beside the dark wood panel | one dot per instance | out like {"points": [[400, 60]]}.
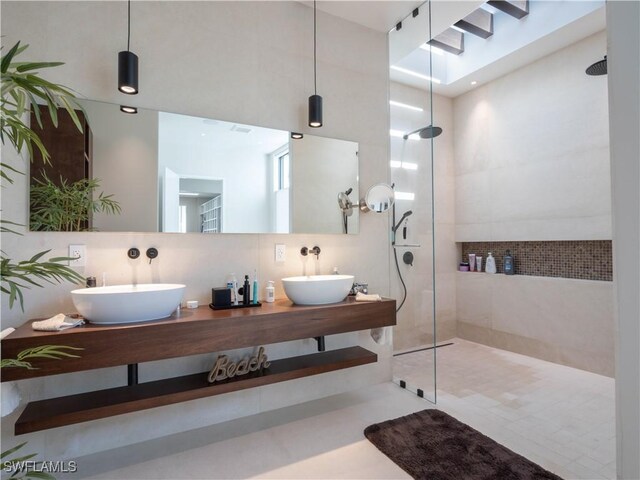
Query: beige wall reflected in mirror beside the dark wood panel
{"points": [[125, 146]]}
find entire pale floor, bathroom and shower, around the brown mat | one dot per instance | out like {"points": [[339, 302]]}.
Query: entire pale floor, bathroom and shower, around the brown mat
{"points": [[559, 417]]}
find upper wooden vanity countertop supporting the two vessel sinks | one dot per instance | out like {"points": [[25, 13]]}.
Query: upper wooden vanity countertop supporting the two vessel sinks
{"points": [[192, 332]]}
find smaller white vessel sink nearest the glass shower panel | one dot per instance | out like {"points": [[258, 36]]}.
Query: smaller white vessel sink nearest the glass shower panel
{"points": [[317, 289]]}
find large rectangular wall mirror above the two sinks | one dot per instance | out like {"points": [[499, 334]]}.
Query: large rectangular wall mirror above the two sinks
{"points": [[164, 172]]}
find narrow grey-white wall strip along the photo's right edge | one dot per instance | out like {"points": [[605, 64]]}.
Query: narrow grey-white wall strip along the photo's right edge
{"points": [[623, 58]]}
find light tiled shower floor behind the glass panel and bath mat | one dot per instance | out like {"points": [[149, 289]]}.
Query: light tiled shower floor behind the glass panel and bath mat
{"points": [[560, 417]]}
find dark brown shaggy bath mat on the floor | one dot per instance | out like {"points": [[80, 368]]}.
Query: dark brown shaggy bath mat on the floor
{"points": [[433, 445]]}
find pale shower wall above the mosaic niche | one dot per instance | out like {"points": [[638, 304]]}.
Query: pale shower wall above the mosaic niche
{"points": [[532, 152]]}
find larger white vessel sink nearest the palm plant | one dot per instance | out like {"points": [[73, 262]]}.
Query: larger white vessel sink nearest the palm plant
{"points": [[128, 303]]}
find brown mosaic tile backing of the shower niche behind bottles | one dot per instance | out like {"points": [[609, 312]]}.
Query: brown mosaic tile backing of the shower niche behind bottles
{"points": [[582, 259]]}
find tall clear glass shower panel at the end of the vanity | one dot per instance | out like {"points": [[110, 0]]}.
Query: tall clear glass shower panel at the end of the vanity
{"points": [[412, 131]]}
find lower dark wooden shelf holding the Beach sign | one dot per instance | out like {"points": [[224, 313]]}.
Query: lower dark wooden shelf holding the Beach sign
{"points": [[57, 412]]}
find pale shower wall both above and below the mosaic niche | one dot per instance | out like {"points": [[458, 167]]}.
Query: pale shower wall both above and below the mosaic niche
{"points": [[532, 163]]}
